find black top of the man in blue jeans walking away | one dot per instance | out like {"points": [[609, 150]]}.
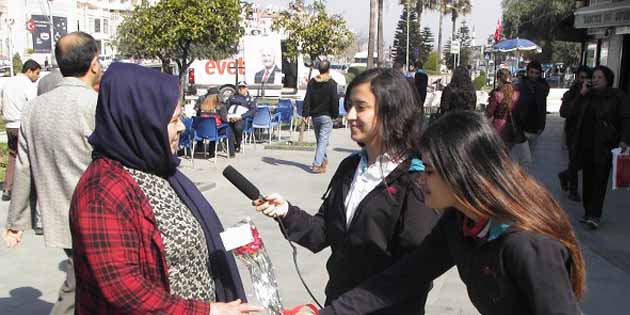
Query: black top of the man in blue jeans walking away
{"points": [[321, 97]]}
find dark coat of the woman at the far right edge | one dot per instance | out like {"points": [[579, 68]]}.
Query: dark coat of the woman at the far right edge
{"points": [[612, 111]]}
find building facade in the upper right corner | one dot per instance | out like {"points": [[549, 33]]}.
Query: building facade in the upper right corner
{"points": [[607, 23]]}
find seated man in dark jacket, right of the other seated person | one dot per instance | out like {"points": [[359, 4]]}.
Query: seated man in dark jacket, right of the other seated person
{"points": [[240, 107]]}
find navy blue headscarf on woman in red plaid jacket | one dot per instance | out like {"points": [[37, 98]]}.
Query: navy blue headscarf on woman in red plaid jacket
{"points": [[135, 105]]}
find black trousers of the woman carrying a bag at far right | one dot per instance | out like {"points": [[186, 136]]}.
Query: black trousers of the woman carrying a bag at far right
{"points": [[594, 185]]}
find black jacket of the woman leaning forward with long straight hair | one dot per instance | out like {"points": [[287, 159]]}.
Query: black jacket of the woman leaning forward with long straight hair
{"points": [[519, 273]]}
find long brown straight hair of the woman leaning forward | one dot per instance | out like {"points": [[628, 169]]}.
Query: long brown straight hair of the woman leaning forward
{"points": [[471, 158]]}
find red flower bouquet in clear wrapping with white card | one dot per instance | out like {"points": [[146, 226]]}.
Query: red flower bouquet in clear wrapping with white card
{"points": [[254, 256]]}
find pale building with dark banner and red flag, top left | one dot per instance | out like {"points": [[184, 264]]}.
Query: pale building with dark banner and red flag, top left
{"points": [[25, 25]]}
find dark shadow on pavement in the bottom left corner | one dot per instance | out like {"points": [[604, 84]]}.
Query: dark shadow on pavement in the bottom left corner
{"points": [[24, 300]]}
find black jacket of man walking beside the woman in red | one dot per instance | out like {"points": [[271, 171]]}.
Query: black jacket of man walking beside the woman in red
{"points": [[531, 110]]}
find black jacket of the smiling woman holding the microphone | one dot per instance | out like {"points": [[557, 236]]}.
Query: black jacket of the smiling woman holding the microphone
{"points": [[388, 223]]}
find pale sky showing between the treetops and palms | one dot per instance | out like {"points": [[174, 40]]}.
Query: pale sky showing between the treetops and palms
{"points": [[484, 16]]}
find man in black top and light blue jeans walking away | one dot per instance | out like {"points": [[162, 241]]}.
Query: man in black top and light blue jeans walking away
{"points": [[321, 103]]}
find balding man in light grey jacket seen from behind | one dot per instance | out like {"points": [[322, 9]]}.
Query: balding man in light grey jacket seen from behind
{"points": [[54, 152]]}
